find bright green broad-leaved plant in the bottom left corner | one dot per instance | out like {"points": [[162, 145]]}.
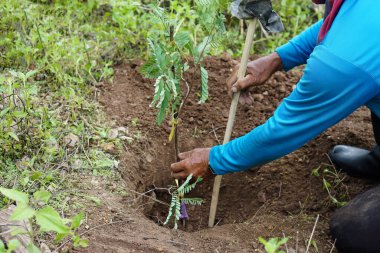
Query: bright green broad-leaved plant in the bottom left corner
{"points": [[41, 218]]}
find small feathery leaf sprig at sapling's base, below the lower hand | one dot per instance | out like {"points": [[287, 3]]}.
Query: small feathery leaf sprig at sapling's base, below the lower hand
{"points": [[178, 203]]}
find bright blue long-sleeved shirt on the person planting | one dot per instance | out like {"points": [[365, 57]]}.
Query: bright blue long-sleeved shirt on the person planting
{"points": [[341, 74]]}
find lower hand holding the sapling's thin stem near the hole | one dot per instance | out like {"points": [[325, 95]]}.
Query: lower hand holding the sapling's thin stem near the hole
{"points": [[194, 162]]}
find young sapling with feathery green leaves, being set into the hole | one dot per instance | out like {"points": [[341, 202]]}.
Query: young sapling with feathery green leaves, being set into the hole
{"points": [[173, 50]]}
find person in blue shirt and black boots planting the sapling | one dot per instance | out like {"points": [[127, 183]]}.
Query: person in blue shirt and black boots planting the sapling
{"points": [[342, 73]]}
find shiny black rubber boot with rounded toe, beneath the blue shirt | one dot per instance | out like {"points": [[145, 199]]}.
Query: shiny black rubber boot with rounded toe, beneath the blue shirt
{"points": [[358, 162]]}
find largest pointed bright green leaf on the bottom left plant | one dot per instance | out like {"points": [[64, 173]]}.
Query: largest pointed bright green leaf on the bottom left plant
{"points": [[49, 220]]}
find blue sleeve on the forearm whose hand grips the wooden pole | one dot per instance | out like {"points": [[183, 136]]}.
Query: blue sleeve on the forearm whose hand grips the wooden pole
{"points": [[298, 50]]}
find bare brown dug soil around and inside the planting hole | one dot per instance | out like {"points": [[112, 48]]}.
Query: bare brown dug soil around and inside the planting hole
{"points": [[280, 198]]}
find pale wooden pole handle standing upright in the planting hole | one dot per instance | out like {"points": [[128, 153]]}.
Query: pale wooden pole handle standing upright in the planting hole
{"points": [[231, 116]]}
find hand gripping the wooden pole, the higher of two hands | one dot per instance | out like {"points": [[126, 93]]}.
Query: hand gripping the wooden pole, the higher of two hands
{"points": [[258, 72]]}
